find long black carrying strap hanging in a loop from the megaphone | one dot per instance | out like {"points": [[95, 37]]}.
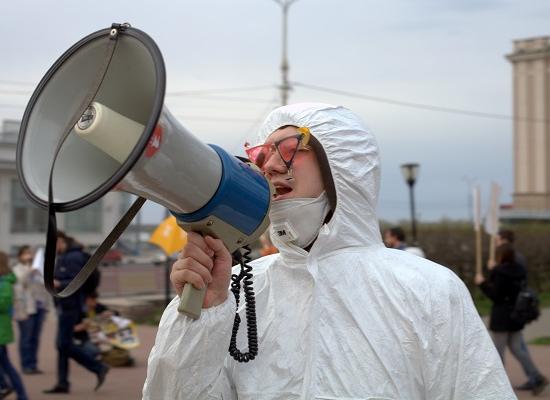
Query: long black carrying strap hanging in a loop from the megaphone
{"points": [[51, 236]]}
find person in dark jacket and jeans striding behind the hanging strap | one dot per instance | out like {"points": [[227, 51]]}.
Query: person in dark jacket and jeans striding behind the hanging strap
{"points": [[70, 260]]}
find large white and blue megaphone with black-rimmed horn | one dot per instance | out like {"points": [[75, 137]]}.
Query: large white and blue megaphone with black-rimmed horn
{"points": [[96, 122]]}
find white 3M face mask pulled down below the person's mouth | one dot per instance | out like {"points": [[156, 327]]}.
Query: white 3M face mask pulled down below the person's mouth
{"points": [[299, 220]]}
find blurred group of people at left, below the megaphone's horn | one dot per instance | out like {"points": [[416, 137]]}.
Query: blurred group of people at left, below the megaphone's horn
{"points": [[87, 331]]}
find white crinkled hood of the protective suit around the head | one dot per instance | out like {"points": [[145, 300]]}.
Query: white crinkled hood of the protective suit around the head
{"points": [[352, 155]]}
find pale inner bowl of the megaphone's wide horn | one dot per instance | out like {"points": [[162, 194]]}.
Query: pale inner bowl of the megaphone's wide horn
{"points": [[133, 87]]}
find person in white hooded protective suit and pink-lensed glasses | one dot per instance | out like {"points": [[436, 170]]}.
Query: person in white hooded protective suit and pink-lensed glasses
{"points": [[340, 316]]}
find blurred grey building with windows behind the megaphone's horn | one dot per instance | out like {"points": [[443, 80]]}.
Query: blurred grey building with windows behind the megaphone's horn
{"points": [[21, 222]]}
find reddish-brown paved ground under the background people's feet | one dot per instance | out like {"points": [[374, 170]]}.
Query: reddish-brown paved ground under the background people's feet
{"points": [[126, 383]]}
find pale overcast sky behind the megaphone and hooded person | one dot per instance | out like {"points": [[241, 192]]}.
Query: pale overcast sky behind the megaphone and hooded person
{"points": [[441, 53]]}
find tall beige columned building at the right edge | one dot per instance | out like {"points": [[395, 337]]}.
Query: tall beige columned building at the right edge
{"points": [[531, 88]]}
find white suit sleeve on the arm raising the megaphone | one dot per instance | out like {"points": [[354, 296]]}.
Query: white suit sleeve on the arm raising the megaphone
{"points": [[187, 360]]}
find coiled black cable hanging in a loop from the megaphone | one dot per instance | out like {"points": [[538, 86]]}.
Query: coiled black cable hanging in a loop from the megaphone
{"points": [[252, 329]]}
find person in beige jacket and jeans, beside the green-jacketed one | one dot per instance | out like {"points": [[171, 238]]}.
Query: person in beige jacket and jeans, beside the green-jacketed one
{"points": [[30, 308]]}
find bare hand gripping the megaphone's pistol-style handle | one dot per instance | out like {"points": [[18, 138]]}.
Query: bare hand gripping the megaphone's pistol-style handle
{"points": [[201, 275]]}
